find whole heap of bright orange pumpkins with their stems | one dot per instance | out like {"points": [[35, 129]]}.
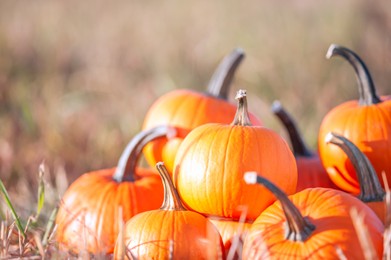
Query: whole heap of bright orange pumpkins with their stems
{"points": [[222, 186]]}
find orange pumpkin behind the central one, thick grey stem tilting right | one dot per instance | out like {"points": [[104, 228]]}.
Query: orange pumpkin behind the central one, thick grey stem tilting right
{"points": [[187, 109]]}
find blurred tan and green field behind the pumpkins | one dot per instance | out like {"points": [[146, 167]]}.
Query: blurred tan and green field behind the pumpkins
{"points": [[77, 77]]}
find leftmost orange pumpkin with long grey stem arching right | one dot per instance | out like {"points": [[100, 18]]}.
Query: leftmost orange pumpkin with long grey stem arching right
{"points": [[88, 217]]}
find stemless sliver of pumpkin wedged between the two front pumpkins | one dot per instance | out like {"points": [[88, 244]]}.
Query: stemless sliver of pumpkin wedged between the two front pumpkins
{"points": [[233, 234]]}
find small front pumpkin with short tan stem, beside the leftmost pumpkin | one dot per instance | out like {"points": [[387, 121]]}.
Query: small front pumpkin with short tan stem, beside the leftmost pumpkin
{"points": [[171, 232]]}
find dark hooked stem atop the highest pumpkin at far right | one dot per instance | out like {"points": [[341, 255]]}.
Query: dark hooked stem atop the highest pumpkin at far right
{"points": [[366, 89]]}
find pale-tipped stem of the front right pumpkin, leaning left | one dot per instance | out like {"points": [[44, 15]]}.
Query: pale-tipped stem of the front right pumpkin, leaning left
{"points": [[298, 228]]}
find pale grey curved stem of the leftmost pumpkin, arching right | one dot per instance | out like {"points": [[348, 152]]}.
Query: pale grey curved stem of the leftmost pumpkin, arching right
{"points": [[128, 161]]}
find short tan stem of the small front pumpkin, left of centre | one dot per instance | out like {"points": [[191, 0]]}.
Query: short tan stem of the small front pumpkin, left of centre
{"points": [[171, 200]]}
